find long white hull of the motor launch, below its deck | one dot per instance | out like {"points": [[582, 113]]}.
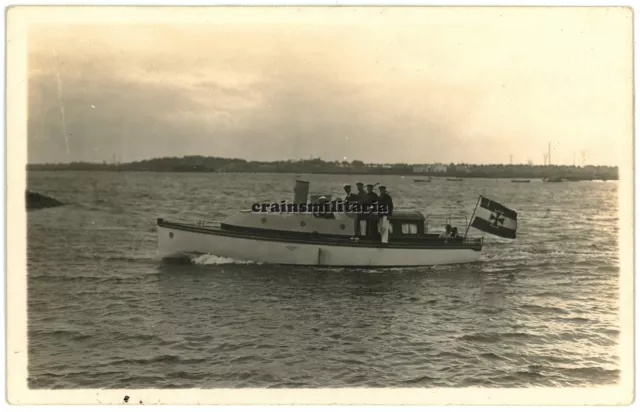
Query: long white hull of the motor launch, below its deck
{"points": [[174, 241]]}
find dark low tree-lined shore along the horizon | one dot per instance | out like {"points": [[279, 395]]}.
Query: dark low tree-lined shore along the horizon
{"points": [[318, 166]]}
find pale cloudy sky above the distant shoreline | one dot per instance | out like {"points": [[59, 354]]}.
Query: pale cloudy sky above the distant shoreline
{"points": [[383, 85]]}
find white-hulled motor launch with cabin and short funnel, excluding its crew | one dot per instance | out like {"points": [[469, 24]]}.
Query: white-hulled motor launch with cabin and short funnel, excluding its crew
{"points": [[310, 238]]}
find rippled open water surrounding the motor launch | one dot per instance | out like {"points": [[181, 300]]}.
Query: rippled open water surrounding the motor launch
{"points": [[104, 312]]}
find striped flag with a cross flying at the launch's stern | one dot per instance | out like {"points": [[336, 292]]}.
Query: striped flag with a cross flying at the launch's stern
{"points": [[494, 218]]}
